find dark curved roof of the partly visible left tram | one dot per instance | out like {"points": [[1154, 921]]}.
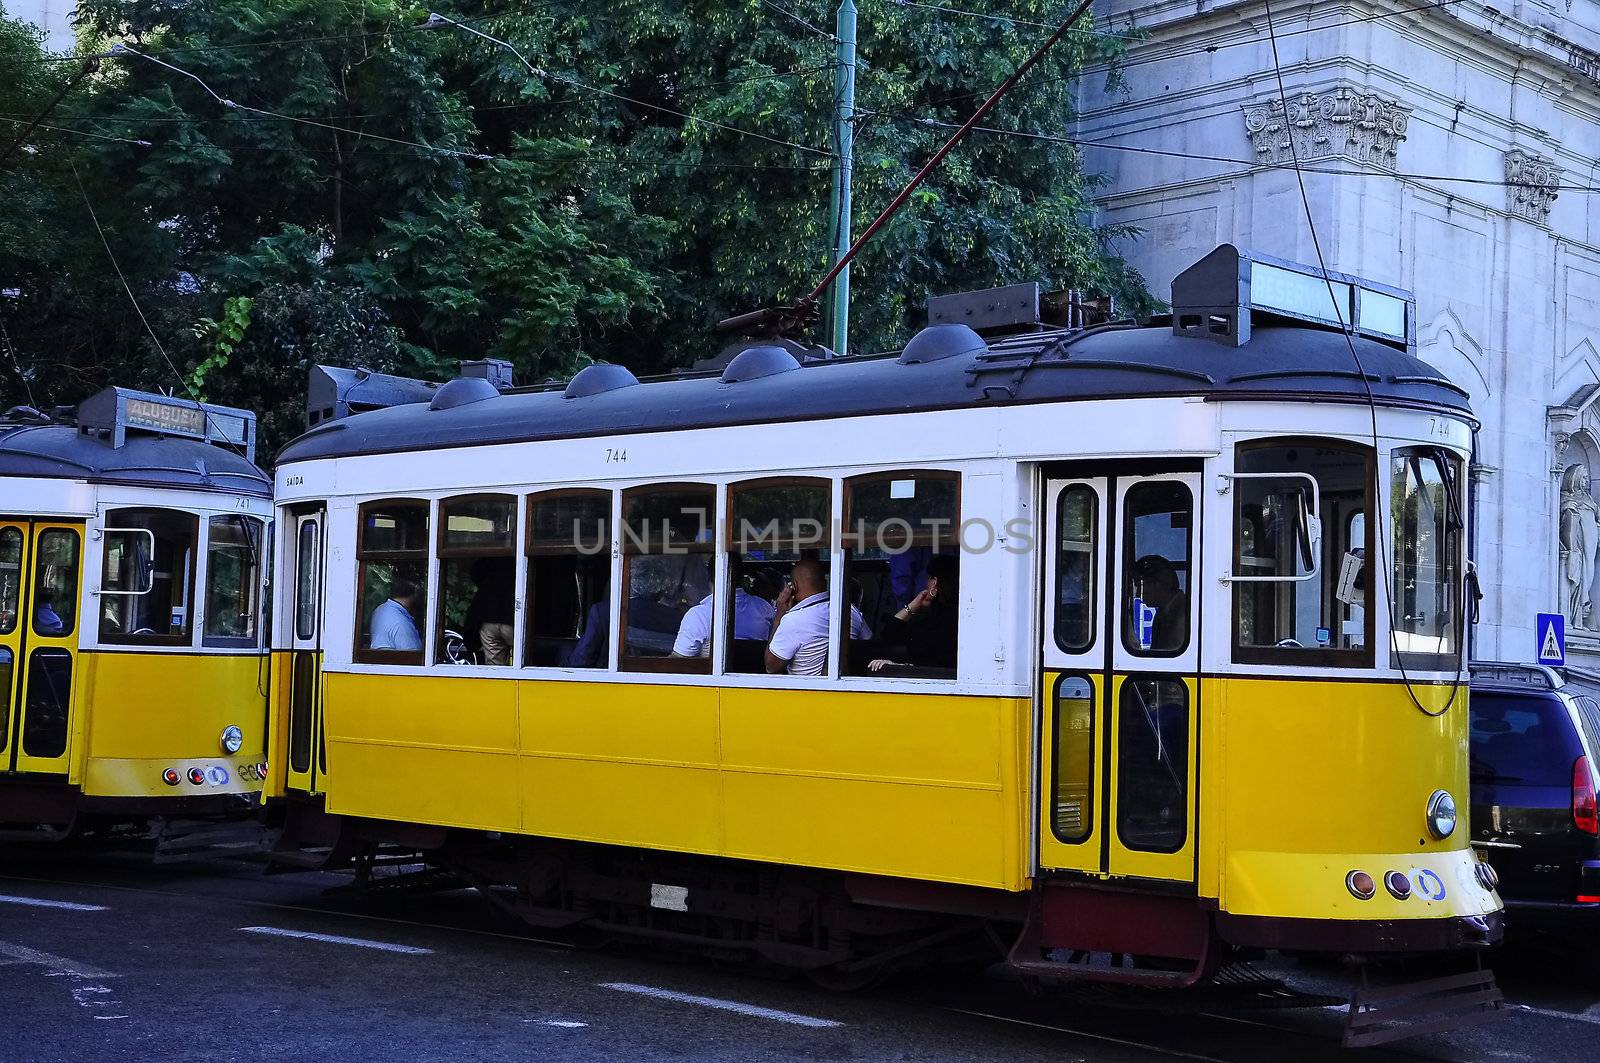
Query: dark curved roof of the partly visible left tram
{"points": [[66, 452]]}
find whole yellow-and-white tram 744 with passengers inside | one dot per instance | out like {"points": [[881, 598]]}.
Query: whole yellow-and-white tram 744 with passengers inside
{"points": [[1140, 643]]}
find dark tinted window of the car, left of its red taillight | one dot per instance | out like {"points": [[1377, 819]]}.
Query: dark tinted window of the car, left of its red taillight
{"points": [[1522, 740]]}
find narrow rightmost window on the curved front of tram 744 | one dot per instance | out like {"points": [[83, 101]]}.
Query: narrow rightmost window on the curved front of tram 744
{"points": [[1428, 524]]}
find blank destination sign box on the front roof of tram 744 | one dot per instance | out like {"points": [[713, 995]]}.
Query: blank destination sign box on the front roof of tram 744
{"points": [[1226, 292]]}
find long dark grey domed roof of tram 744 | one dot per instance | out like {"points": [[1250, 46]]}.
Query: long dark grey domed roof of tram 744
{"points": [[1279, 363]]}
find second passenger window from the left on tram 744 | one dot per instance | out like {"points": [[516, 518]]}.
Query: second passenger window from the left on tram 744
{"points": [[478, 580]]}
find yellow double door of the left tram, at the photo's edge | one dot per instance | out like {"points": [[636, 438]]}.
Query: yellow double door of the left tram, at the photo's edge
{"points": [[41, 563]]}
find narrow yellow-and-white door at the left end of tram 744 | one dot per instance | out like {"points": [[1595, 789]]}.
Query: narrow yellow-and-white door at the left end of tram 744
{"points": [[306, 747]]}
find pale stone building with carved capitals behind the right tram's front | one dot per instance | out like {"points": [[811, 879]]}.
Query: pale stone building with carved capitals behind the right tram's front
{"points": [[1447, 148]]}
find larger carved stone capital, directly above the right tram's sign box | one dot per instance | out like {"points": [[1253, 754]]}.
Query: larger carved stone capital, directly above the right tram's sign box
{"points": [[1340, 124]]}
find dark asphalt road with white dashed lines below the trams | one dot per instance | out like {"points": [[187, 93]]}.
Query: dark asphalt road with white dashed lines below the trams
{"points": [[106, 957]]}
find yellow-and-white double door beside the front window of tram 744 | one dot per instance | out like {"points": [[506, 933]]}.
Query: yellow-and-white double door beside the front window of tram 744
{"points": [[1121, 676]]}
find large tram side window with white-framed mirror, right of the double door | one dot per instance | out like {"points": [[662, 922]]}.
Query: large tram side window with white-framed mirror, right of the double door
{"points": [[1298, 593]]}
